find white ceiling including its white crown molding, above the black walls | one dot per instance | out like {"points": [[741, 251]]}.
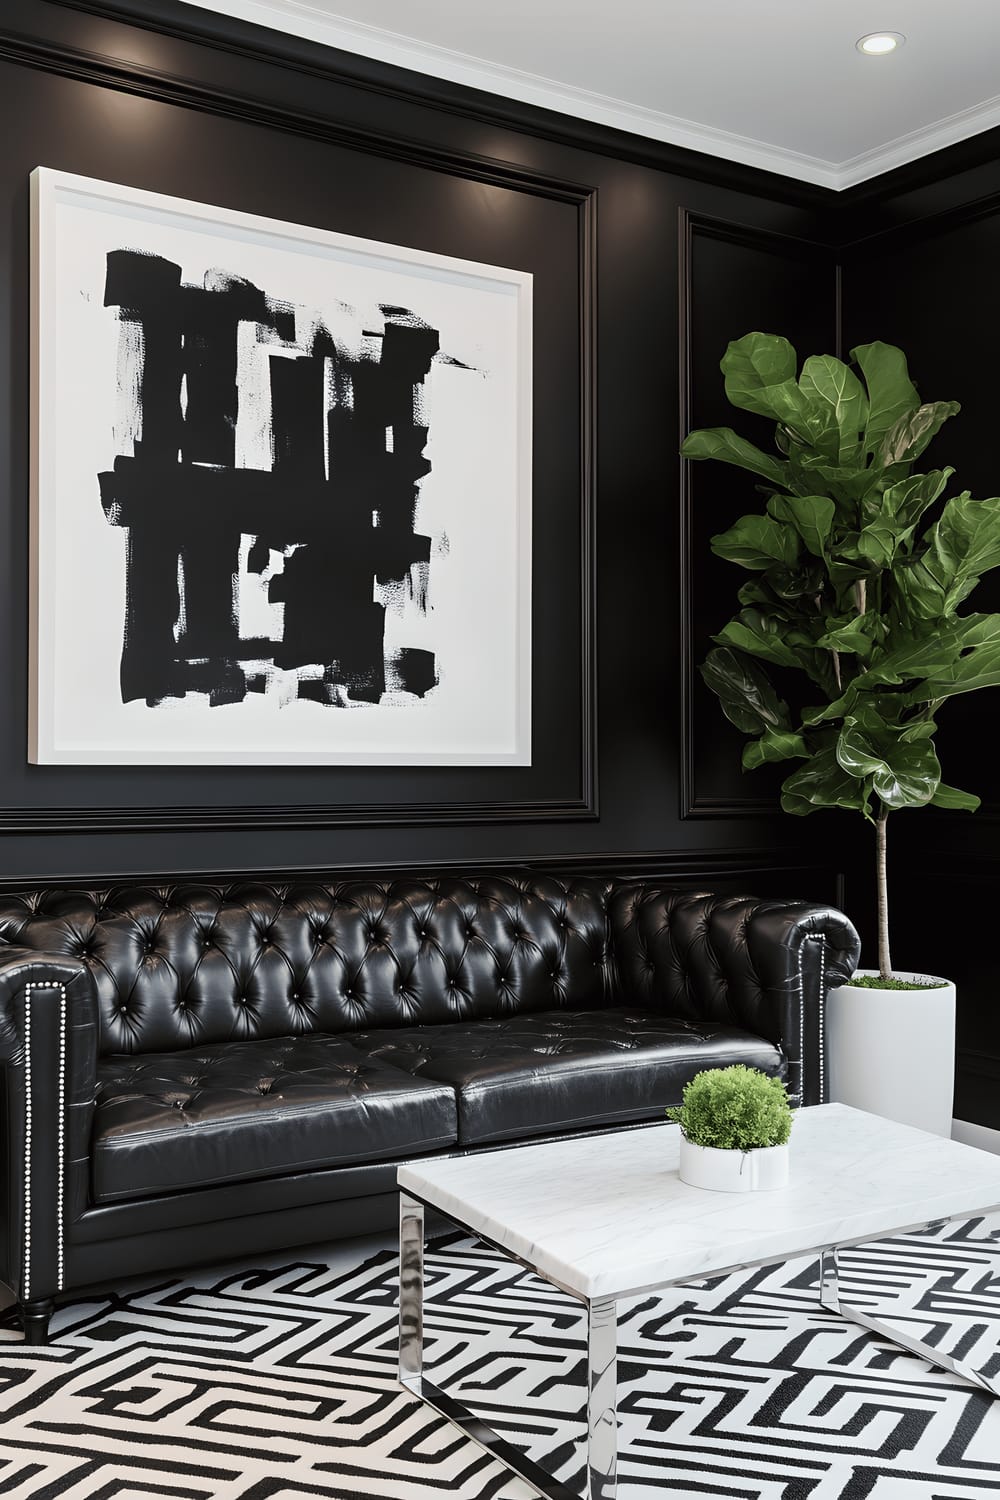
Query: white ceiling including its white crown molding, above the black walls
{"points": [[768, 83]]}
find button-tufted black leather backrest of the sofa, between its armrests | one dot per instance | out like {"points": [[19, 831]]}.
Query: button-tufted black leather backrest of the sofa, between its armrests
{"points": [[187, 965]]}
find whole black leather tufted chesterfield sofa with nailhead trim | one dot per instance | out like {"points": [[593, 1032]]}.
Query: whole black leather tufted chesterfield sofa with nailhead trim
{"points": [[197, 1072]]}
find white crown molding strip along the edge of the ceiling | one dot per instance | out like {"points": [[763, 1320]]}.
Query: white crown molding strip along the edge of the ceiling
{"points": [[301, 19]]}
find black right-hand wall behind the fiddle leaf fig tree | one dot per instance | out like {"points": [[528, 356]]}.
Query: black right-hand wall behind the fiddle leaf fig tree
{"points": [[921, 272]]}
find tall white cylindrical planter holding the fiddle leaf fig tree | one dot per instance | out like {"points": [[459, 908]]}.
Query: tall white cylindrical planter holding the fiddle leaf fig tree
{"points": [[893, 1052]]}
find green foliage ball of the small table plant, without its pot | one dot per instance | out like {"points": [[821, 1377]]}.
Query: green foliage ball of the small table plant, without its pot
{"points": [[734, 1109]]}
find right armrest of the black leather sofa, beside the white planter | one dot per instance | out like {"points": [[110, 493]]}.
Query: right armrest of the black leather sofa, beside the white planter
{"points": [[762, 965]]}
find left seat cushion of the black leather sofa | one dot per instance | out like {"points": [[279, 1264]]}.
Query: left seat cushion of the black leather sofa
{"points": [[239, 1111]]}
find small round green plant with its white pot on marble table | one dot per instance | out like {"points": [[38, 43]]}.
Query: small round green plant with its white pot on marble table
{"points": [[735, 1126]]}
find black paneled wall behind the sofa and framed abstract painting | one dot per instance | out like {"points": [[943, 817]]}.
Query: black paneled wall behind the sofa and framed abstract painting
{"points": [[647, 262]]}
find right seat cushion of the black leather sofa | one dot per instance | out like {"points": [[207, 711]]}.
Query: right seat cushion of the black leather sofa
{"points": [[564, 1070]]}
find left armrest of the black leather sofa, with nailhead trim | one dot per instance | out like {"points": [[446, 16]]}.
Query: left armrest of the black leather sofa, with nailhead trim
{"points": [[49, 1070]]}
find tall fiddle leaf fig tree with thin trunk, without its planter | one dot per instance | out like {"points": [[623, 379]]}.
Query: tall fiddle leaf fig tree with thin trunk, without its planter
{"points": [[858, 572]]}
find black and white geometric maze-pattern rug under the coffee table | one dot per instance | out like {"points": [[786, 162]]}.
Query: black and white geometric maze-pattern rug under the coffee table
{"points": [[274, 1384]]}
